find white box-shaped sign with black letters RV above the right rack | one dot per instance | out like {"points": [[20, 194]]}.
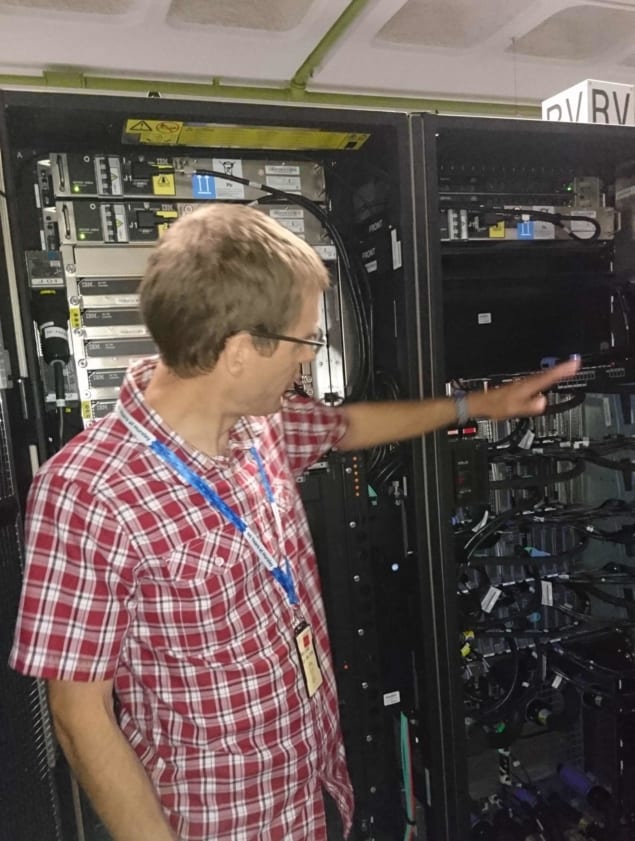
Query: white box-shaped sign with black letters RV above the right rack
{"points": [[591, 101]]}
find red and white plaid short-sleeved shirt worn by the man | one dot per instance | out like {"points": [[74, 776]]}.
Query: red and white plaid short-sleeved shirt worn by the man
{"points": [[131, 576]]}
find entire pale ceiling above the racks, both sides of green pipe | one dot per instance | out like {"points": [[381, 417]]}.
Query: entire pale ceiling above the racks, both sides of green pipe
{"points": [[485, 50]]}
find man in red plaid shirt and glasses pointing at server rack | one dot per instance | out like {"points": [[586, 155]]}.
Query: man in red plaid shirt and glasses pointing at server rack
{"points": [[171, 597]]}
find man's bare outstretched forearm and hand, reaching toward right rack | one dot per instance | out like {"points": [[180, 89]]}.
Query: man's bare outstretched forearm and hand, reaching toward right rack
{"points": [[370, 424]]}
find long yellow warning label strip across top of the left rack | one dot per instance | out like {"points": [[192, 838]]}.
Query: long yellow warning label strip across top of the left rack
{"points": [[175, 133]]}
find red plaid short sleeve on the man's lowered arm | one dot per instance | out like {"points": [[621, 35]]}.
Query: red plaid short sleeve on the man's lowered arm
{"points": [[75, 603]]}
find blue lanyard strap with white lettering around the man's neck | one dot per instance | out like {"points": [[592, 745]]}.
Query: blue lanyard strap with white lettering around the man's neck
{"points": [[284, 576]]}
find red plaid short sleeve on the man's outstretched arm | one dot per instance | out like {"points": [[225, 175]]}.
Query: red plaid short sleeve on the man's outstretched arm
{"points": [[310, 430]]}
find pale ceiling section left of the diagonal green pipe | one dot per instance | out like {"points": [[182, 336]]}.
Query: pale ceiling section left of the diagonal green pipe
{"points": [[162, 39]]}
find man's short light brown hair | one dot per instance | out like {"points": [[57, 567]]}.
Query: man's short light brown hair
{"points": [[221, 270]]}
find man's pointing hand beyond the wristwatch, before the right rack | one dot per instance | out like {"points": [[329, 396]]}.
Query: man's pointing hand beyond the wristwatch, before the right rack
{"points": [[521, 398]]}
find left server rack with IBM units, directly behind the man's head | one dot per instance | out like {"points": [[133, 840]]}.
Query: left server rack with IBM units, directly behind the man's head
{"points": [[89, 182]]}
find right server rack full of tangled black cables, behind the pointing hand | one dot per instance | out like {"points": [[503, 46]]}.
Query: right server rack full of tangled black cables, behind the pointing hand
{"points": [[524, 254]]}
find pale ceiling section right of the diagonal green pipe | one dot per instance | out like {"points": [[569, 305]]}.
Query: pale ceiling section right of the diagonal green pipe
{"points": [[464, 49]]}
